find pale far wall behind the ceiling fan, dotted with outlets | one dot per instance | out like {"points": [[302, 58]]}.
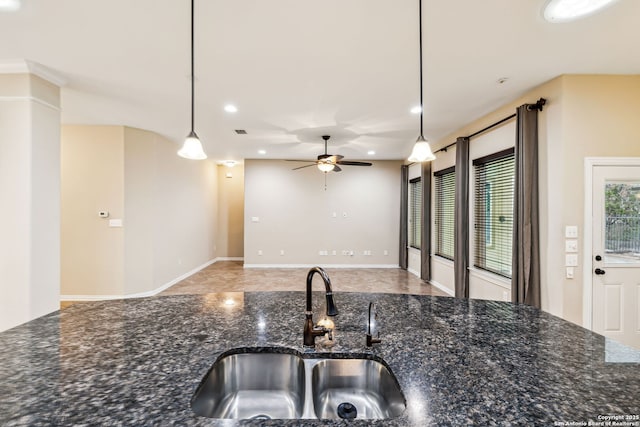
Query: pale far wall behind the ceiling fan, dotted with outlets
{"points": [[296, 214]]}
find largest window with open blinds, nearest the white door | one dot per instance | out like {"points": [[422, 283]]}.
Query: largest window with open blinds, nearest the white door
{"points": [[493, 199]]}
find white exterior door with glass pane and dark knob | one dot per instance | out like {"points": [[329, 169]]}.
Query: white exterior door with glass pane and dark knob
{"points": [[616, 253]]}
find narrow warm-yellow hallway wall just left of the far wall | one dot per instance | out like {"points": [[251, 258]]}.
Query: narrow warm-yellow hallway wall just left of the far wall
{"points": [[230, 236]]}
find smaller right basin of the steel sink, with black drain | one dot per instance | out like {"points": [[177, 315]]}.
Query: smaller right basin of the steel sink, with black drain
{"points": [[355, 388]]}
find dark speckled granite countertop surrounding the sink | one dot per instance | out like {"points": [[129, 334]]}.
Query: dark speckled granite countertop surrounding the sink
{"points": [[138, 362]]}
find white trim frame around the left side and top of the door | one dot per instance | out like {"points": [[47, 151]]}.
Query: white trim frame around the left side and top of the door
{"points": [[587, 248]]}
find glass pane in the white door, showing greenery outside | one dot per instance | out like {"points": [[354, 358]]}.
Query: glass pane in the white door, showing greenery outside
{"points": [[622, 222]]}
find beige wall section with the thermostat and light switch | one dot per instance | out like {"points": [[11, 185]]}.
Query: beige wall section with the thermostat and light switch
{"points": [[92, 180]]}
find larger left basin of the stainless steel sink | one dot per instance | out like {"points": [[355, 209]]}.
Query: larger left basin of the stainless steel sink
{"points": [[252, 386]]}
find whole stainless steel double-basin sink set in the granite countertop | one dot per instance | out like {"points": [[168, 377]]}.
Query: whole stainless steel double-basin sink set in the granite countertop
{"points": [[275, 385]]}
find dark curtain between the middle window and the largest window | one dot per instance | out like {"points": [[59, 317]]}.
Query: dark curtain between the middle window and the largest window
{"points": [[461, 220]]}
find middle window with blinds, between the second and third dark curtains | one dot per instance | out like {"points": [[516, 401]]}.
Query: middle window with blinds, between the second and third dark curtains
{"points": [[445, 212]]}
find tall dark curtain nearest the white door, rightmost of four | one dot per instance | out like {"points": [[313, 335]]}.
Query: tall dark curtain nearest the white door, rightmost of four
{"points": [[525, 278]]}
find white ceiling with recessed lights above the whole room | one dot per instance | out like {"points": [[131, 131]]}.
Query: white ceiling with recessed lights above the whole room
{"points": [[299, 69]]}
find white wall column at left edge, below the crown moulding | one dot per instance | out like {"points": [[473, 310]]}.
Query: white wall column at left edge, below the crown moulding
{"points": [[29, 196]]}
